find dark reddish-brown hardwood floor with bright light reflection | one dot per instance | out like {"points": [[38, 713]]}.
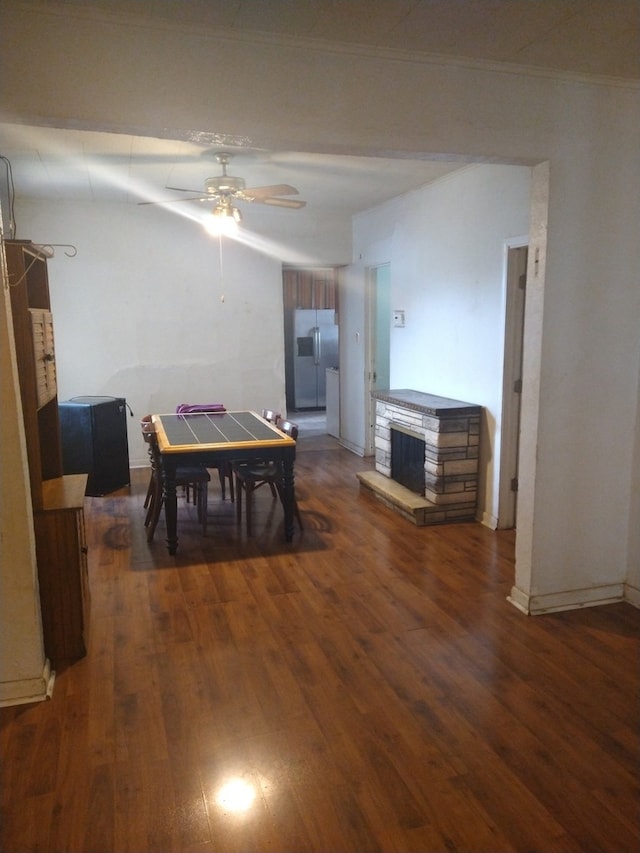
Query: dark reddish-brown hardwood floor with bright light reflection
{"points": [[365, 688]]}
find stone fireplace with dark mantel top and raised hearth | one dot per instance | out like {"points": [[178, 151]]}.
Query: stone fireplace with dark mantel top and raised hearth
{"points": [[448, 434]]}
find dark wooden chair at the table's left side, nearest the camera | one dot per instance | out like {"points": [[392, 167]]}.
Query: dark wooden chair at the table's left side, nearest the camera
{"points": [[195, 477]]}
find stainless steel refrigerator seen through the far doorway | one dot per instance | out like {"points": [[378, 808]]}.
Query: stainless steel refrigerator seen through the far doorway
{"points": [[315, 347]]}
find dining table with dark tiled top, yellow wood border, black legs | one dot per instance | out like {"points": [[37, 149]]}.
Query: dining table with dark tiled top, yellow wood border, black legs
{"points": [[214, 437]]}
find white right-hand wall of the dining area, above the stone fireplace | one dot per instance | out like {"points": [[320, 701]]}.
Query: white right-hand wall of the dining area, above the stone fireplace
{"points": [[446, 246]]}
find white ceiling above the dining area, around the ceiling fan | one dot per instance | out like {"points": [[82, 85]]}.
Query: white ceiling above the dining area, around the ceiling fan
{"points": [[86, 165]]}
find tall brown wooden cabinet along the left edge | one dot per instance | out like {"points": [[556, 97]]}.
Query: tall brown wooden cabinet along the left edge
{"points": [[57, 500]]}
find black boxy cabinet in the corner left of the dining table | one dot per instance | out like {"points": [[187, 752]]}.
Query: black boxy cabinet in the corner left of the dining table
{"points": [[94, 442]]}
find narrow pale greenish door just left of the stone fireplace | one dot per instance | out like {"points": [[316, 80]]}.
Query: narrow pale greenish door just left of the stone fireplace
{"points": [[378, 310]]}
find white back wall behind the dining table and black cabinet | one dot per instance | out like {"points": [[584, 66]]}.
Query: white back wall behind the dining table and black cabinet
{"points": [[145, 311]]}
